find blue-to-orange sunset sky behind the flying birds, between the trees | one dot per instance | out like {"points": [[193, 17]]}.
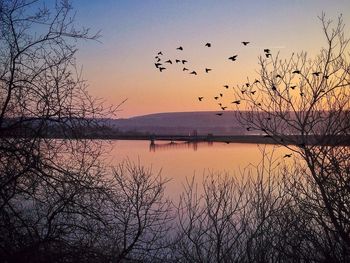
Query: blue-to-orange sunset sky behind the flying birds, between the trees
{"points": [[133, 31]]}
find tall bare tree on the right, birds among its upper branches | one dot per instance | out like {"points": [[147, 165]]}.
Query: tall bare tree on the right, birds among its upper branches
{"points": [[303, 104]]}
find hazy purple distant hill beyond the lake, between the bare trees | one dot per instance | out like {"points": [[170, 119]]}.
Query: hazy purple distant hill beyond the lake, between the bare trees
{"points": [[181, 123]]}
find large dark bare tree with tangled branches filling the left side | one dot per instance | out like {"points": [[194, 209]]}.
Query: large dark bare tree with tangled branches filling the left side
{"points": [[46, 186]]}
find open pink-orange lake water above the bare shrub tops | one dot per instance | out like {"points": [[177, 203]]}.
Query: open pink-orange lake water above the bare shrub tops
{"points": [[181, 160]]}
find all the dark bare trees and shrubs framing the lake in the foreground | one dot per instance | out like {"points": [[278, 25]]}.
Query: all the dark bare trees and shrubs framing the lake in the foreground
{"points": [[60, 203]]}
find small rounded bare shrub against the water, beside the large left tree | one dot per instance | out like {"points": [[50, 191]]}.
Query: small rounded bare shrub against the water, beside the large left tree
{"points": [[138, 217]]}
